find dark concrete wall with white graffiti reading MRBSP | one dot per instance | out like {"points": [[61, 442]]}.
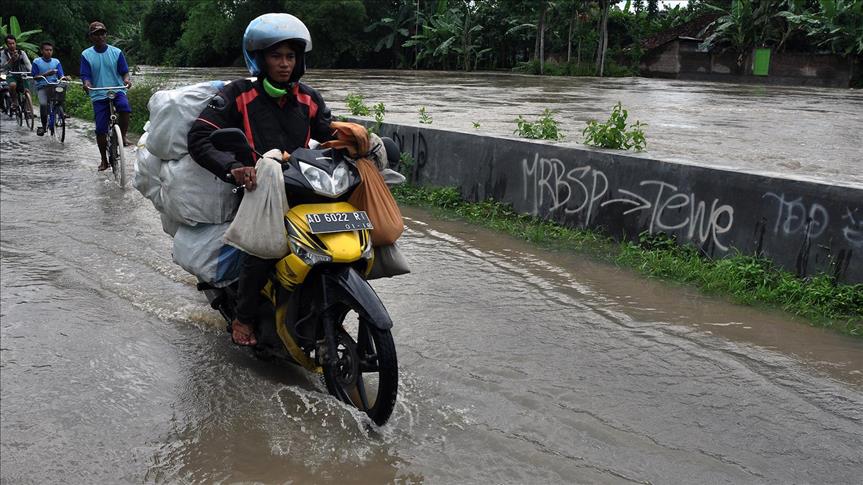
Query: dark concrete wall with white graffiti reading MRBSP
{"points": [[805, 227]]}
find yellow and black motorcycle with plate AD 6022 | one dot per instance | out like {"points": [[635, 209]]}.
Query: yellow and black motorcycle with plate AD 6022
{"points": [[320, 311]]}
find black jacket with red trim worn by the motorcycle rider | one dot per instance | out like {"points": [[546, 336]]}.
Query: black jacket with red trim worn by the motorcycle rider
{"points": [[286, 123]]}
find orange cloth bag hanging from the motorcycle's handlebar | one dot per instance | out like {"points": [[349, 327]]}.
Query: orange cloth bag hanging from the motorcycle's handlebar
{"points": [[372, 195]]}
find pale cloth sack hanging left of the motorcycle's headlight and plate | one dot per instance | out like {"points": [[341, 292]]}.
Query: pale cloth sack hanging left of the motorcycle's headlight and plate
{"points": [[259, 227]]}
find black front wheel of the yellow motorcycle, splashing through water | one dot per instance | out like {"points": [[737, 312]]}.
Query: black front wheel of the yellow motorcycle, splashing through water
{"points": [[365, 374]]}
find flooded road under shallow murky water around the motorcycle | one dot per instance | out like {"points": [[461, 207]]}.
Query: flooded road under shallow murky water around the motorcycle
{"points": [[516, 365]]}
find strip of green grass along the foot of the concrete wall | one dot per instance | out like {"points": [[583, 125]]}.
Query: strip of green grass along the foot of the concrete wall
{"points": [[744, 279]]}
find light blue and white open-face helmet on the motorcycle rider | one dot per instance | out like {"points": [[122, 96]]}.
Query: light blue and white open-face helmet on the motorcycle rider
{"points": [[270, 29]]}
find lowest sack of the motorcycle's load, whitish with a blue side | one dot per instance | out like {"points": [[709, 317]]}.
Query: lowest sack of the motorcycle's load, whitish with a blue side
{"points": [[200, 250]]}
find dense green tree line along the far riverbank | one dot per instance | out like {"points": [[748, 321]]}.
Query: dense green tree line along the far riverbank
{"points": [[541, 36]]}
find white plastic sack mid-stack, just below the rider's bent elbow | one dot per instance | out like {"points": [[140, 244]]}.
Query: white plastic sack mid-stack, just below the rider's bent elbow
{"points": [[192, 195]]}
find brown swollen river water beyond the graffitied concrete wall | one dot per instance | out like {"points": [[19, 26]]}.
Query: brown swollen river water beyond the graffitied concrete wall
{"points": [[783, 131]]}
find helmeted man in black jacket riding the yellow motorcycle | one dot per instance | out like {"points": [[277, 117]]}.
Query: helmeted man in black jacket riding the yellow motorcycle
{"points": [[274, 111]]}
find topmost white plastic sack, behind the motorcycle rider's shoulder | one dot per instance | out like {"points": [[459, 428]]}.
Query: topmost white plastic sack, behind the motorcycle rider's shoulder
{"points": [[172, 113]]}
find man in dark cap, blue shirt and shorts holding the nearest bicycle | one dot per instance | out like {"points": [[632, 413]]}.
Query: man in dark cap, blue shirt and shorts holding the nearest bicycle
{"points": [[104, 65]]}
